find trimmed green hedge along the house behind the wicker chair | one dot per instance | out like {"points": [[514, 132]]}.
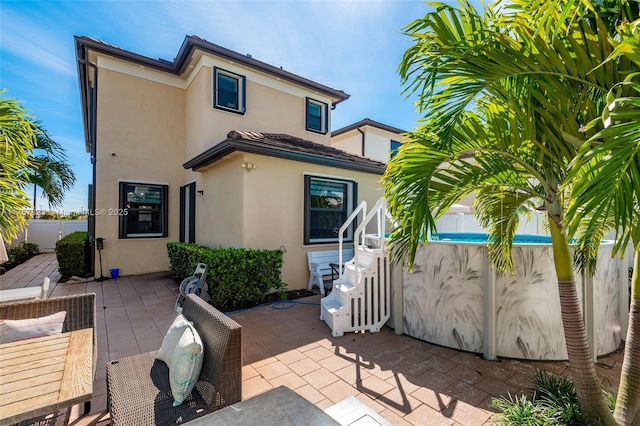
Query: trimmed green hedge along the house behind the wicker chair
{"points": [[236, 276]]}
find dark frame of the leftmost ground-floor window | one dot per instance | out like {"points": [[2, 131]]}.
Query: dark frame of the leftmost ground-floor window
{"points": [[124, 215]]}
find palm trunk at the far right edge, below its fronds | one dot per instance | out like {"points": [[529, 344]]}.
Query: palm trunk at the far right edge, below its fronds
{"points": [[628, 400]]}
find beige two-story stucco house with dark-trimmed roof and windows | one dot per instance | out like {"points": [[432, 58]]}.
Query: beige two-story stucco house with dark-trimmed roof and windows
{"points": [[213, 147]]}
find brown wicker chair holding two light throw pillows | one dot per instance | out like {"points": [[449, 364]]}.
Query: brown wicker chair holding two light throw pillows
{"points": [[138, 390]]}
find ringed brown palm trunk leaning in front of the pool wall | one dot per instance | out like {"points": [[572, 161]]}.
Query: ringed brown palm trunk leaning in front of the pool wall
{"points": [[588, 388]]}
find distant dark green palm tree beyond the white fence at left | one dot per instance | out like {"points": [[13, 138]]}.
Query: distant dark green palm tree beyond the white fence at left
{"points": [[49, 169]]}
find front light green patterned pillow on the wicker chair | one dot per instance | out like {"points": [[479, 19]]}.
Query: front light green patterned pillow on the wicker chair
{"points": [[185, 365]]}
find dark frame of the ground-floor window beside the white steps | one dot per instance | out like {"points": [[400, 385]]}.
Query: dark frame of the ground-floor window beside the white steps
{"points": [[351, 198]]}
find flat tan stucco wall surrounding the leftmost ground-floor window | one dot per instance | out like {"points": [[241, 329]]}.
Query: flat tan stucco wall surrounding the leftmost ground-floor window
{"points": [[142, 123]]}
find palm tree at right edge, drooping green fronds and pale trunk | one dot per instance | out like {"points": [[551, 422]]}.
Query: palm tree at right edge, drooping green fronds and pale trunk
{"points": [[606, 185]]}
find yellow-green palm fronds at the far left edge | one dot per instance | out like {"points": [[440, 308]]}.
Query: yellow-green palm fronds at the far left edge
{"points": [[17, 139]]}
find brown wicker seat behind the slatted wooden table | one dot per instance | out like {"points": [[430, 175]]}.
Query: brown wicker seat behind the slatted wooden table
{"points": [[81, 313]]}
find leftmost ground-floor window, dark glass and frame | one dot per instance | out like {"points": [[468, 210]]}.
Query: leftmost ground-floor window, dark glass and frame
{"points": [[143, 210]]}
